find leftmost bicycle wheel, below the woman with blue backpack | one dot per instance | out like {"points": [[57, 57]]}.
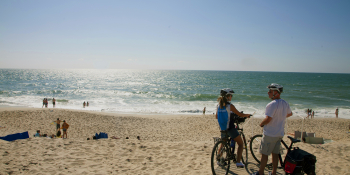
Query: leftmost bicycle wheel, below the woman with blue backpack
{"points": [[220, 162]]}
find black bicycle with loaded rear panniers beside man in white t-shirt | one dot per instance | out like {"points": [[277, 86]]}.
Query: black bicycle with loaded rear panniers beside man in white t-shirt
{"points": [[282, 156]]}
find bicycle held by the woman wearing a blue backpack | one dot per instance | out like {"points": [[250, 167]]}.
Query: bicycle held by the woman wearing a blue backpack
{"points": [[223, 153]]}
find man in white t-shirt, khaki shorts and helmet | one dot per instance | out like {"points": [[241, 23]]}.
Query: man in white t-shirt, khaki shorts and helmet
{"points": [[277, 111]]}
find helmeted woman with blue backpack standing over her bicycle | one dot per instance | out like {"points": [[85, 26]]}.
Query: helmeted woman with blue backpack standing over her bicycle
{"points": [[223, 112]]}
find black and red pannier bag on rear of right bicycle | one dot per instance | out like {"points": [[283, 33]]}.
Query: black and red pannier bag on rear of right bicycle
{"points": [[298, 161]]}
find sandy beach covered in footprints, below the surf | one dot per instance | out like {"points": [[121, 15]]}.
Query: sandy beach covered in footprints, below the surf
{"points": [[170, 144]]}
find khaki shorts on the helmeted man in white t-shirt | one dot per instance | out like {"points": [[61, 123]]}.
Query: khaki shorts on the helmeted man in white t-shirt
{"points": [[270, 145]]}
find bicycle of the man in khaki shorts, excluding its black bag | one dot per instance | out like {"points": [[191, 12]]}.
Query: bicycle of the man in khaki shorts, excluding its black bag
{"points": [[254, 149]]}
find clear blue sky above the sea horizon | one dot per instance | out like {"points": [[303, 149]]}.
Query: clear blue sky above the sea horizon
{"points": [[256, 35]]}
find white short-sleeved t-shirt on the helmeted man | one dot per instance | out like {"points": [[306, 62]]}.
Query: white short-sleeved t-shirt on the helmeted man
{"points": [[277, 110]]}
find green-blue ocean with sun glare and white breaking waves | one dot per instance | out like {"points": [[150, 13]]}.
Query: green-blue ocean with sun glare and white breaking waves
{"points": [[173, 91]]}
